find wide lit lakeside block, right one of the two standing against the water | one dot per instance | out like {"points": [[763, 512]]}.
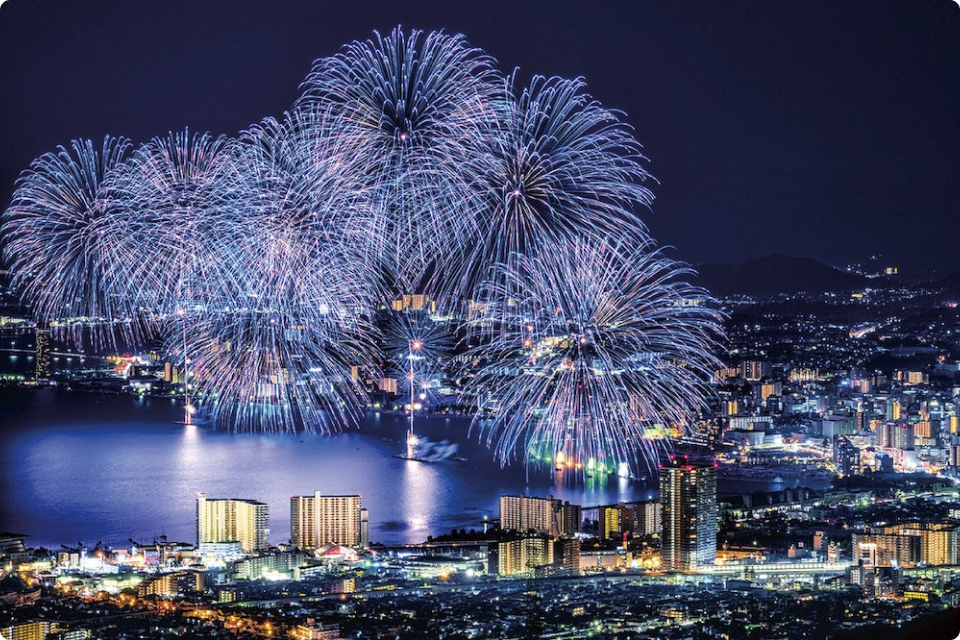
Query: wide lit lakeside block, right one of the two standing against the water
{"points": [[318, 520]]}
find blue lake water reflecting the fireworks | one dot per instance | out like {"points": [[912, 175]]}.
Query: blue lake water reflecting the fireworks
{"points": [[78, 466]]}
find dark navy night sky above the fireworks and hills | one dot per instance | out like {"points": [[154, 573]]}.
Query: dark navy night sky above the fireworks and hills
{"points": [[823, 129]]}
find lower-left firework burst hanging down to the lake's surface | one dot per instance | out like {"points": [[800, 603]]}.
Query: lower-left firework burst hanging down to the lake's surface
{"points": [[282, 363]]}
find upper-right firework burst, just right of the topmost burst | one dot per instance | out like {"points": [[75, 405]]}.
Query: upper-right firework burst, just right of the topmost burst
{"points": [[563, 169]]}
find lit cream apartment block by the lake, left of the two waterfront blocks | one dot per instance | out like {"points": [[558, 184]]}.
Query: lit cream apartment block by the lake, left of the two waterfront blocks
{"points": [[231, 520]]}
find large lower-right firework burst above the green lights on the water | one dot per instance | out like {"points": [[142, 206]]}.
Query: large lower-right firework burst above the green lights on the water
{"points": [[596, 345]]}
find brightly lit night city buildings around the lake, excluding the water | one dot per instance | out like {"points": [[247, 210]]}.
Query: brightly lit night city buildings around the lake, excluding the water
{"points": [[823, 478]]}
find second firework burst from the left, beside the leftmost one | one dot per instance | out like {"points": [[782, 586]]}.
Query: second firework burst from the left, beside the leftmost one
{"points": [[168, 256]]}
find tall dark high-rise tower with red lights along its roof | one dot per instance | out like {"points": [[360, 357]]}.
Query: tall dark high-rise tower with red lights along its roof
{"points": [[688, 505]]}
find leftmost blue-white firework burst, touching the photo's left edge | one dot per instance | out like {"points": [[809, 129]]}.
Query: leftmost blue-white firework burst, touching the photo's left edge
{"points": [[55, 240]]}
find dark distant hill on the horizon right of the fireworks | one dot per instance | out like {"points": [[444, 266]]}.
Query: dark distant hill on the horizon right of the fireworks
{"points": [[779, 274]]}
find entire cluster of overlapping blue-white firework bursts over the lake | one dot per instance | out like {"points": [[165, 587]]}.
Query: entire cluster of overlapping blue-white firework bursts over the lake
{"points": [[409, 163]]}
